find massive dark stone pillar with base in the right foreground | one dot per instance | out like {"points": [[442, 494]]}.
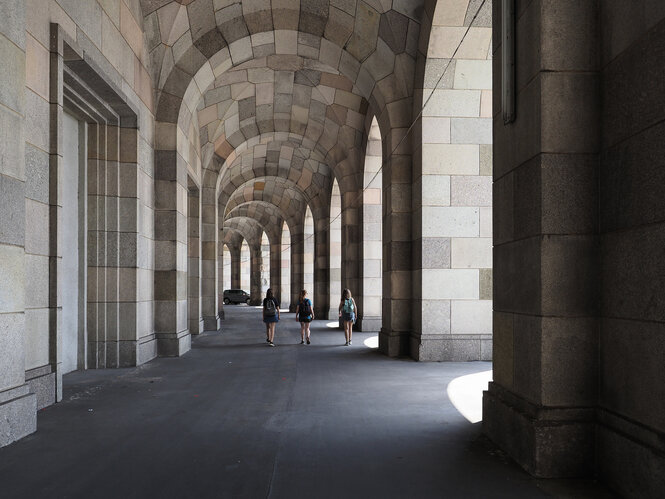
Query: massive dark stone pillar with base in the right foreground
{"points": [[540, 407]]}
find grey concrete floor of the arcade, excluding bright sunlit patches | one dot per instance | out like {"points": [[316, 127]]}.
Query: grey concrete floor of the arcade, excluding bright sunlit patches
{"points": [[235, 418]]}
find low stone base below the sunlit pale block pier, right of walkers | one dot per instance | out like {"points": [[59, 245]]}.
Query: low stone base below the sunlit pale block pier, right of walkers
{"points": [[451, 348]]}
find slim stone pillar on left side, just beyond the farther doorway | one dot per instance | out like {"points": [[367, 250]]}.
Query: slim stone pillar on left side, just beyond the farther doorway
{"points": [[209, 236]]}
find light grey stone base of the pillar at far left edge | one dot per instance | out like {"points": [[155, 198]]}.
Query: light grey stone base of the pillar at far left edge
{"points": [[18, 414]]}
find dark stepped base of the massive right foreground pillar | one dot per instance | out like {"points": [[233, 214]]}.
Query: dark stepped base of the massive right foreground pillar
{"points": [[546, 442]]}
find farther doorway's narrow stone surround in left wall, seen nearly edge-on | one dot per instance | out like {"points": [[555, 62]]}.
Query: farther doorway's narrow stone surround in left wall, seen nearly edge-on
{"points": [[195, 321]]}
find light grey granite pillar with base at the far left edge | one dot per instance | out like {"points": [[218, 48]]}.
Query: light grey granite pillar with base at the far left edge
{"points": [[18, 416]]}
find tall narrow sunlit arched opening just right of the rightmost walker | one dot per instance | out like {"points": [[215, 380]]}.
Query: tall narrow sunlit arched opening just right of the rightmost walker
{"points": [[372, 226]]}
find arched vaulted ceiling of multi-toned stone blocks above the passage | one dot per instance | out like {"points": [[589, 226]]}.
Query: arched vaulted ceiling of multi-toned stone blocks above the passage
{"points": [[280, 92]]}
